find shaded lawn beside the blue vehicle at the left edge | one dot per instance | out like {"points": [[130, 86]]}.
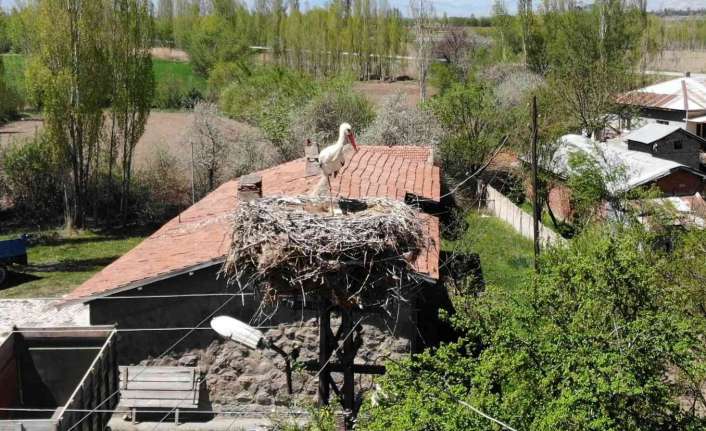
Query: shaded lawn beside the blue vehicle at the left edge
{"points": [[59, 262]]}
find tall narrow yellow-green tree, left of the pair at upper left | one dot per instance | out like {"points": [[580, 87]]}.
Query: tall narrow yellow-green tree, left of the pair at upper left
{"points": [[71, 71]]}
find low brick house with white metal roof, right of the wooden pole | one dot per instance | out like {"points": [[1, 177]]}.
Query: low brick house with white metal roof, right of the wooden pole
{"points": [[637, 162]]}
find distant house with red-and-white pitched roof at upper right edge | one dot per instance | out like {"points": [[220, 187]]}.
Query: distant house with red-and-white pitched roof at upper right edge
{"points": [[678, 102]]}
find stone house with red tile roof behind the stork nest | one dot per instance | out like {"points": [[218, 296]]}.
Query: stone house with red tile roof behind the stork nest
{"points": [[175, 278]]}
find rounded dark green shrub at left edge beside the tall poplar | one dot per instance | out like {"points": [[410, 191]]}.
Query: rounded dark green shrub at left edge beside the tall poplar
{"points": [[32, 178]]}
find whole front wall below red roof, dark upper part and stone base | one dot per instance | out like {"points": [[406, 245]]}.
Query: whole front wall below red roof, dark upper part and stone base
{"points": [[234, 375]]}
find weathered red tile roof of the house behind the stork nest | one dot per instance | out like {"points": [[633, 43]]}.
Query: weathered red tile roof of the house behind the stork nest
{"points": [[200, 236]]}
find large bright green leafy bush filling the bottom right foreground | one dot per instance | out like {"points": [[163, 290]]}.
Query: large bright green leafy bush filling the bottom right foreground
{"points": [[597, 340]]}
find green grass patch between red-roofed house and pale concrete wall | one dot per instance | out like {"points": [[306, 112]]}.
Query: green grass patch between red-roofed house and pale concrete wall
{"points": [[506, 256]]}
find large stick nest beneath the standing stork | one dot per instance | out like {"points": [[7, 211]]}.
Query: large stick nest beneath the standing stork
{"points": [[360, 256]]}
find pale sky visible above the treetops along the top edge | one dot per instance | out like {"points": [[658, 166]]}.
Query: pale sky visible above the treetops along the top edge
{"points": [[483, 7]]}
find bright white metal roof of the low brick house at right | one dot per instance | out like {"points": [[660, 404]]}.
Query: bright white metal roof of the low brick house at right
{"points": [[640, 168]]}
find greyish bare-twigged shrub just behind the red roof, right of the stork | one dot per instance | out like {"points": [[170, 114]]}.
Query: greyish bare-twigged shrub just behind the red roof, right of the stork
{"points": [[398, 123]]}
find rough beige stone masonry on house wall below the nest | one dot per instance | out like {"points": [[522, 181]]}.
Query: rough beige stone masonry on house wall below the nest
{"points": [[237, 376]]}
